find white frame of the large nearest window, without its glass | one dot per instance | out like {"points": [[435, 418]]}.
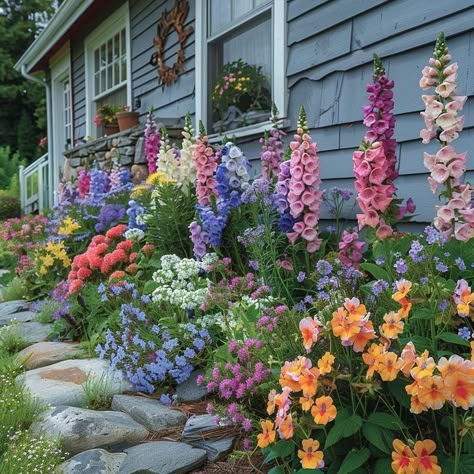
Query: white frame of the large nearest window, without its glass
{"points": [[279, 52]]}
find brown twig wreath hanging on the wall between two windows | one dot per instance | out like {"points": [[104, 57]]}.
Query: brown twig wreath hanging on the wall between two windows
{"points": [[173, 19]]}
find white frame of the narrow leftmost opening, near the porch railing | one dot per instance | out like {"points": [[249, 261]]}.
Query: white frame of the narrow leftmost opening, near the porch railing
{"points": [[60, 66]]}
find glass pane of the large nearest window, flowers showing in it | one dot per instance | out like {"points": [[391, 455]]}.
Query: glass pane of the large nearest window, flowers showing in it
{"points": [[241, 92]]}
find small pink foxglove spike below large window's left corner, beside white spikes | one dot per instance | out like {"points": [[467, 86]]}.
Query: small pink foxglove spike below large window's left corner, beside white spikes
{"points": [[206, 165]]}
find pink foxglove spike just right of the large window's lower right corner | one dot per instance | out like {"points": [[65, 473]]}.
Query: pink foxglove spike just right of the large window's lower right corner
{"points": [[304, 196]]}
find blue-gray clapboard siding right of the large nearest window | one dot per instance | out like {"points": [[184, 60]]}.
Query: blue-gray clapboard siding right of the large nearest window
{"points": [[329, 63]]}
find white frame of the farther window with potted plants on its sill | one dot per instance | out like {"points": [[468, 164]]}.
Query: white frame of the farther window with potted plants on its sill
{"points": [[115, 23]]}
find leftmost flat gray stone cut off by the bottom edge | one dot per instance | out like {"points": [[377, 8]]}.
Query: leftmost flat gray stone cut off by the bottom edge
{"points": [[93, 461]]}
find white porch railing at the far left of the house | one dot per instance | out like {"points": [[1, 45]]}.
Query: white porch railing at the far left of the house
{"points": [[34, 186]]}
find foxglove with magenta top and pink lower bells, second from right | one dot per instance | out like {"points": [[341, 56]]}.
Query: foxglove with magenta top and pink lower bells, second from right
{"points": [[375, 161]]}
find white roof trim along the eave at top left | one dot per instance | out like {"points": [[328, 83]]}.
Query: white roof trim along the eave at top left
{"points": [[59, 24]]}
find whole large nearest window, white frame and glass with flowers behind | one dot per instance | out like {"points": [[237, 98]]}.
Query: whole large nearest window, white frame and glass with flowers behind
{"points": [[240, 64]]}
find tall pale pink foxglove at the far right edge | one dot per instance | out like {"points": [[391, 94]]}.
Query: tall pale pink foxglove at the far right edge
{"points": [[446, 167]]}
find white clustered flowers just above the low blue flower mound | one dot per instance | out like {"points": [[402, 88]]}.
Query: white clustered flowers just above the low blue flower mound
{"points": [[180, 283]]}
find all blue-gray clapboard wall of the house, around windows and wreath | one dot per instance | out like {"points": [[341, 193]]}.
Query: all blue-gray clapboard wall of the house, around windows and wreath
{"points": [[329, 63]]}
